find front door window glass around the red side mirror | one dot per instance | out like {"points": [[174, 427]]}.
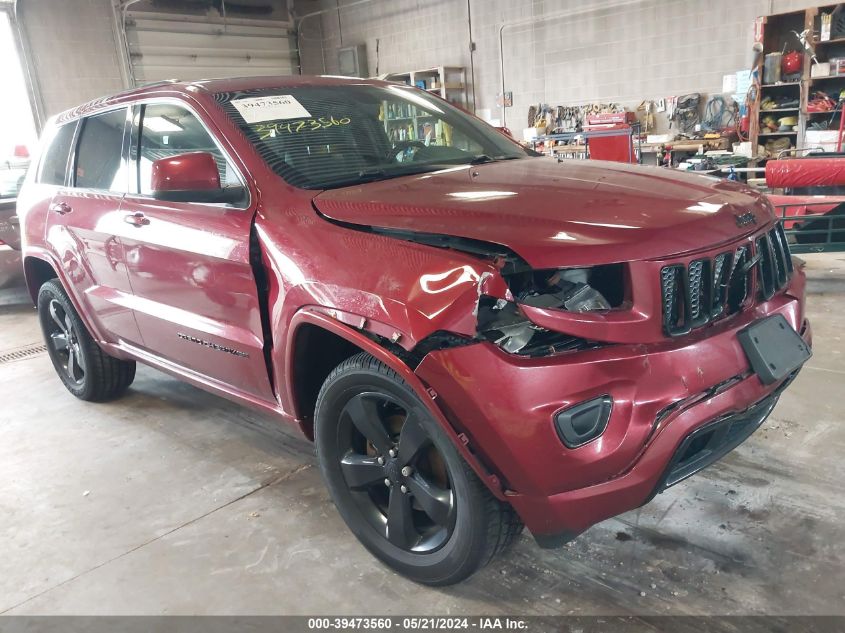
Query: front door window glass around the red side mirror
{"points": [[170, 130]]}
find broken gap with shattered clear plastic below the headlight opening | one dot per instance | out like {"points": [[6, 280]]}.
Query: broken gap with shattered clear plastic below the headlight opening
{"points": [[501, 322]]}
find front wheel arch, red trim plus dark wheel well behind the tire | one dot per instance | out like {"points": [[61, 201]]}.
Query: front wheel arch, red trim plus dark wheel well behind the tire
{"points": [[309, 327]]}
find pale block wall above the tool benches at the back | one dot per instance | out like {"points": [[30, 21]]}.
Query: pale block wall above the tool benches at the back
{"points": [[645, 50]]}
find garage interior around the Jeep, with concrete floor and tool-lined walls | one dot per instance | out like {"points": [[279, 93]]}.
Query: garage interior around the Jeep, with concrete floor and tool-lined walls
{"points": [[172, 501]]}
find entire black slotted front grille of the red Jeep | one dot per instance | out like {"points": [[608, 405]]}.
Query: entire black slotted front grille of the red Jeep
{"points": [[707, 289]]}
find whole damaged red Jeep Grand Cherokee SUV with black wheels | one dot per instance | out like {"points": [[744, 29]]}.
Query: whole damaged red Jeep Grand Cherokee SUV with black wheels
{"points": [[476, 338]]}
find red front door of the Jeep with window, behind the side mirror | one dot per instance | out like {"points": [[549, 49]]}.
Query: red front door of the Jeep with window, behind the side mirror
{"points": [[195, 296]]}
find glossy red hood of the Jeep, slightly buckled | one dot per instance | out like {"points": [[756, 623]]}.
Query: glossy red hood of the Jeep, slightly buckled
{"points": [[558, 214]]}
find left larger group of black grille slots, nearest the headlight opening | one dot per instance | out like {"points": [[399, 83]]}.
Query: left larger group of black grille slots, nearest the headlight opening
{"points": [[703, 291]]}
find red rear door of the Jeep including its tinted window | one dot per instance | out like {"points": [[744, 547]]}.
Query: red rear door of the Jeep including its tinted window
{"points": [[84, 224]]}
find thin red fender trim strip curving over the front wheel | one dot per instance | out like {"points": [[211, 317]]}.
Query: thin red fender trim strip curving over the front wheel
{"points": [[427, 396]]}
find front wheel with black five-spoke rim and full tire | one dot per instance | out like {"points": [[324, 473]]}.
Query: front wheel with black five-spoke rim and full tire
{"points": [[399, 482]]}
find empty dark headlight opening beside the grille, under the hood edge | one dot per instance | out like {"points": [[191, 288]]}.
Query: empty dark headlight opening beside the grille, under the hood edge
{"points": [[571, 289]]}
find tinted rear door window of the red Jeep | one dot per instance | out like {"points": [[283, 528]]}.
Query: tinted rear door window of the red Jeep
{"points": [[99, 152]]}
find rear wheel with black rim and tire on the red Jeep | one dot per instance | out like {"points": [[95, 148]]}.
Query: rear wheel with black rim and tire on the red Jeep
{"points": [[85, 369]]}
